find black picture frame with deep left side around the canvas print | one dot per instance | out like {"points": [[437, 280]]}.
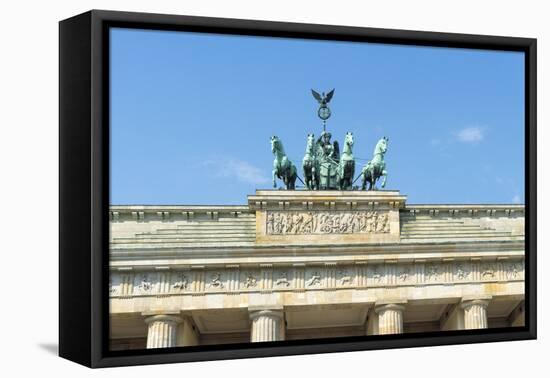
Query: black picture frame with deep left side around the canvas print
{"points": [[84, 186]]}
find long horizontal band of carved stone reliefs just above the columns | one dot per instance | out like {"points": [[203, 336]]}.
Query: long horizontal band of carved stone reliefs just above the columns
{"points": [[314, 278]]}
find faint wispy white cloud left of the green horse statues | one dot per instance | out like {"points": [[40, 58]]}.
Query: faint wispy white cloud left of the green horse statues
{"points": [[239, 169]]}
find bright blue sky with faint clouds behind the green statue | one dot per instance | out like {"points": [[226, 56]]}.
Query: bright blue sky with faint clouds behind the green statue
{"points": [[192, 114]]}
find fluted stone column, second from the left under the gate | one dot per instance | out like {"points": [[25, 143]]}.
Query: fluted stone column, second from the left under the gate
{"points": [[267, 325]]}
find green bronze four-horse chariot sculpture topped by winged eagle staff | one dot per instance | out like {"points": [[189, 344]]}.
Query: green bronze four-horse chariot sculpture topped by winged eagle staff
{"points": [[323, 166]]}
